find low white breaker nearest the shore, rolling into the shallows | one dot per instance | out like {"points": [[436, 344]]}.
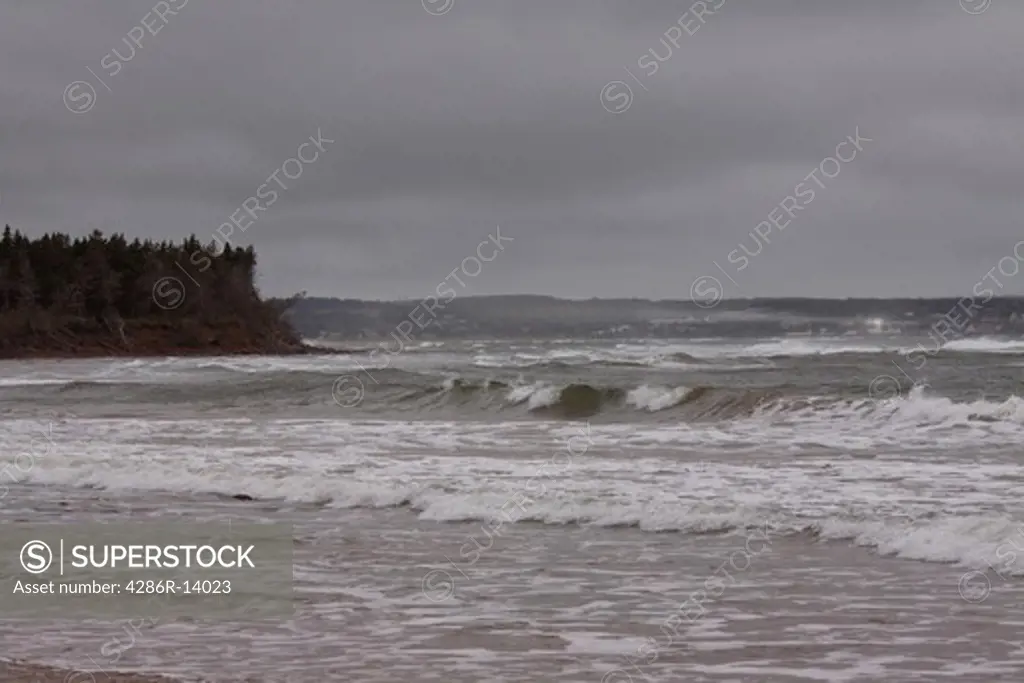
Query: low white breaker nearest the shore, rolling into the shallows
{"points": [[983, 541]]}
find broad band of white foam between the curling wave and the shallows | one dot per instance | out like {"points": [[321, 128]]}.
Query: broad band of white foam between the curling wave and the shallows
{"points": [[917, 508]]}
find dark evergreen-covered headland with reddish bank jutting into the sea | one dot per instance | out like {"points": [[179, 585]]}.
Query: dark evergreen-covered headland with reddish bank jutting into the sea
{"points": [[106, 296]]}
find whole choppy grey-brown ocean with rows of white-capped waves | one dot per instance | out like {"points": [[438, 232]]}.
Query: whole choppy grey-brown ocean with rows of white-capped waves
{"points": [[797, 507]]}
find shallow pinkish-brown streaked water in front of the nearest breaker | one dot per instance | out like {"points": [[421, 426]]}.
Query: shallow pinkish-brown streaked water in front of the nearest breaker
{"points": [[382, 596]]}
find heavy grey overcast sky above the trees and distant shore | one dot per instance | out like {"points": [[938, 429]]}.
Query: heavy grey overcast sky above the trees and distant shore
{"points": [[452, 118]]}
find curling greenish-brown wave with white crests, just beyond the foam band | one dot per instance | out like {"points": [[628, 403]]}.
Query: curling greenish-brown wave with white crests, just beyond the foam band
{"points": [[397, 392]]}
